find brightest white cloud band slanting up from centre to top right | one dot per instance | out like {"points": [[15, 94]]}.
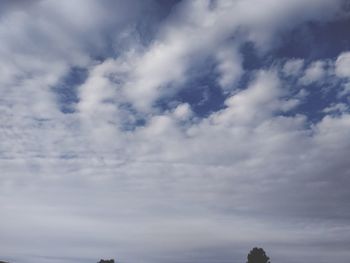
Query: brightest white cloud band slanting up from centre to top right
{"points": [[160, 69]]}
